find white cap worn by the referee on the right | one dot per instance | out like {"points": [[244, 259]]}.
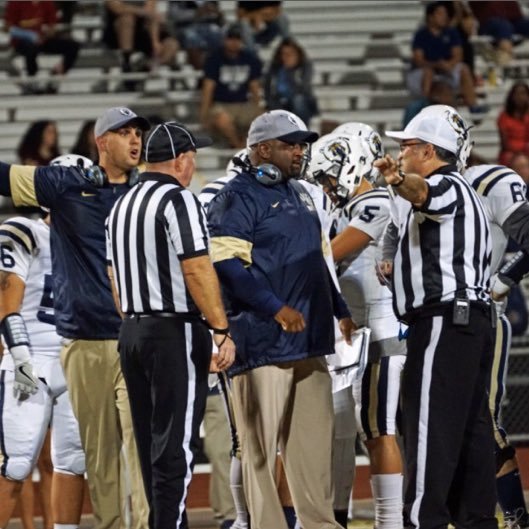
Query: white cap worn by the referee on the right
{"points": [[439, 125]]}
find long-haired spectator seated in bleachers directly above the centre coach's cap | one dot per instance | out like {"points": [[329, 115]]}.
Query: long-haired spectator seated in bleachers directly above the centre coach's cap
{"points": [[288, 81]]}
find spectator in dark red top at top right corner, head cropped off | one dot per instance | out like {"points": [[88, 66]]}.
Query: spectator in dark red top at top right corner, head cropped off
{"points": [[501, 20]]}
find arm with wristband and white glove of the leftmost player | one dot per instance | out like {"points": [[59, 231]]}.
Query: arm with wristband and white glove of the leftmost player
{"points": [[13, 328]]}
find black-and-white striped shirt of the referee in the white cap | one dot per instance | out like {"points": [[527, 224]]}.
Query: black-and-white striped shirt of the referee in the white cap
{"points": [[444, 247]]}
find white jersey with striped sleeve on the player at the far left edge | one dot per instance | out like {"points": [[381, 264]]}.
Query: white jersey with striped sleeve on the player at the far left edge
{"points": [[25, 251]]}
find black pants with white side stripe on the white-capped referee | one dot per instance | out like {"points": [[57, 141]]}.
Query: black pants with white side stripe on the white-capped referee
{"points": [[448, 436]]}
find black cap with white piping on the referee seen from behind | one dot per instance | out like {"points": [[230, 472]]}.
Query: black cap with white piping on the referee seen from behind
{"points": [[167, 140]]}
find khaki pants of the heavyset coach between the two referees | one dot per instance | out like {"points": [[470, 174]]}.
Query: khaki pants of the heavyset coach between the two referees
{"points": [[287, 406]]}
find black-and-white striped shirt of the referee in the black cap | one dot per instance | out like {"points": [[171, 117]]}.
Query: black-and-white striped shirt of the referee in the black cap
{"points": [[153, 227]]}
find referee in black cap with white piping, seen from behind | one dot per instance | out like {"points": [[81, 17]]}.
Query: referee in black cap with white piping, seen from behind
{"points": [[158, 252]]}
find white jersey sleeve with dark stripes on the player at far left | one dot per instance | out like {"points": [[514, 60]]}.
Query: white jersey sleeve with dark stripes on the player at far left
{"points": [[17, 247]]}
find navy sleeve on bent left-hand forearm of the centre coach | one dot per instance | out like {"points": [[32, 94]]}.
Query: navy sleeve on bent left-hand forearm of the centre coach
{"points": [[242, 286]]}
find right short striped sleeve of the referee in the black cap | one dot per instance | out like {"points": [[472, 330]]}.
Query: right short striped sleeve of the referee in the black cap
{"points": [[186, 223]]}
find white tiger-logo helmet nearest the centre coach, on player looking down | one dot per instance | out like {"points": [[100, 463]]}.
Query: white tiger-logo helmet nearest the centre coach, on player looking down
{"points": [[339, 163]]}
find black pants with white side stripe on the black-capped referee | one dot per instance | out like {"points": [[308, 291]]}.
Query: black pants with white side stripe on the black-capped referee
{"points": [[165, 362]]}
